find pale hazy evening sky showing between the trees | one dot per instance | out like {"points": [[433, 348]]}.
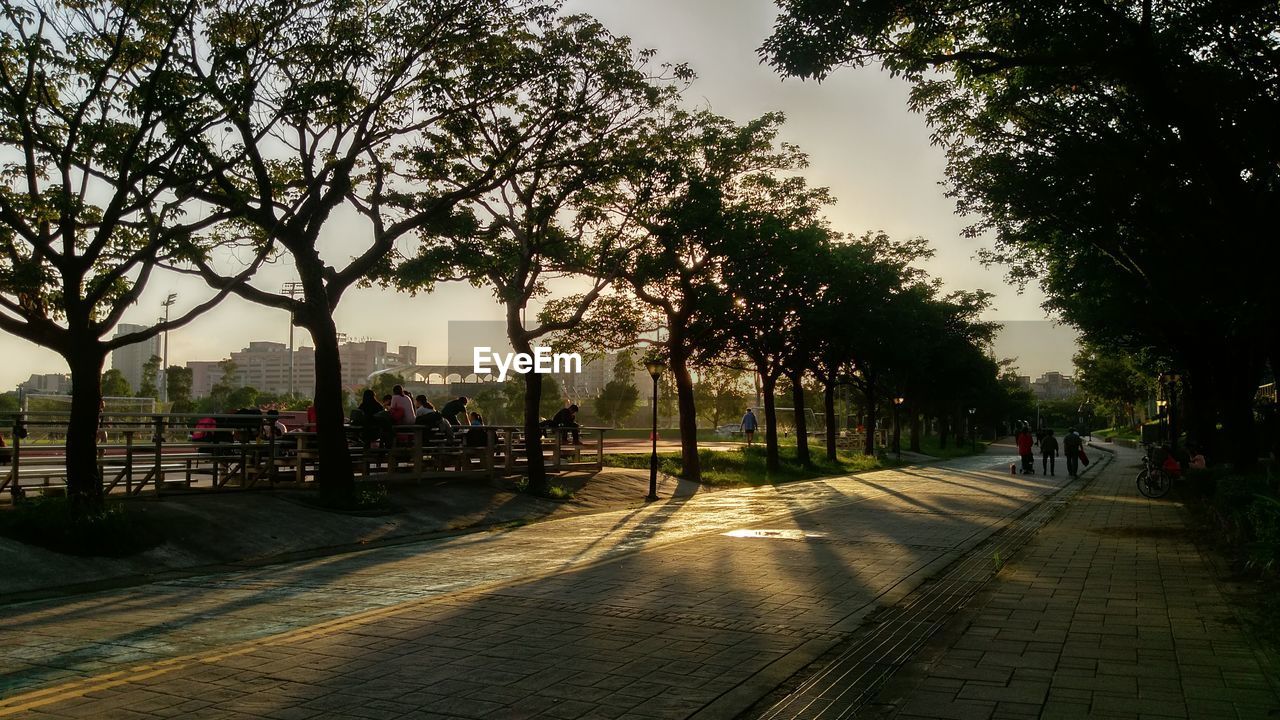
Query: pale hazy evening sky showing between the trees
{"points": [[863, 144]]}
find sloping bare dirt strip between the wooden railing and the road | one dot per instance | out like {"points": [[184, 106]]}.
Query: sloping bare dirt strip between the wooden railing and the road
{"points": [[211, 532]]}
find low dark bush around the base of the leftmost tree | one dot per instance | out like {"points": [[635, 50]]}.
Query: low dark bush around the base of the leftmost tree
{"points": [[57, 525]]}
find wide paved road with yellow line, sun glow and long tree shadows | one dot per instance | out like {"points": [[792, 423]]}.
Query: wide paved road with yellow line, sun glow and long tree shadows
{"points": [[691, 607]]}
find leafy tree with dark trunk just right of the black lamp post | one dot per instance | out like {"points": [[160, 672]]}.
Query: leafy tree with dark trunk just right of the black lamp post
{"points": [[698, 166]]}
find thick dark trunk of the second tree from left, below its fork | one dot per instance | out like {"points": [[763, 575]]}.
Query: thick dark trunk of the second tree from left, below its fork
{"points": [[335, 473]]}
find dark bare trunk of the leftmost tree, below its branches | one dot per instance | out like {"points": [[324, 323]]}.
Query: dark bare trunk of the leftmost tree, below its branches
{"points": [[84, 481]]}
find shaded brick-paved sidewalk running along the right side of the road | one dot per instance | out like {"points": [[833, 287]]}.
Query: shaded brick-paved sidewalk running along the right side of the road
{"points": [[1110, 612]]}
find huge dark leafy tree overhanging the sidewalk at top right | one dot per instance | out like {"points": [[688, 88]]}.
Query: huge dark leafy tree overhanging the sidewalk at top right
{"points": [[1105, 145]]}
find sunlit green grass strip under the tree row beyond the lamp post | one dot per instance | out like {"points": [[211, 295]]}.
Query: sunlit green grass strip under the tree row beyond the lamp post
{"points": [[746, 466]]}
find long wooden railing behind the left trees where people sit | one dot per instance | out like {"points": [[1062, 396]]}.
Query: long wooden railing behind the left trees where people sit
{"points": [[158, 453]]}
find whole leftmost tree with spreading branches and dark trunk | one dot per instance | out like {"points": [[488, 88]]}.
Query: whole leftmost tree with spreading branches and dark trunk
{"points": [[90, 116]]}
